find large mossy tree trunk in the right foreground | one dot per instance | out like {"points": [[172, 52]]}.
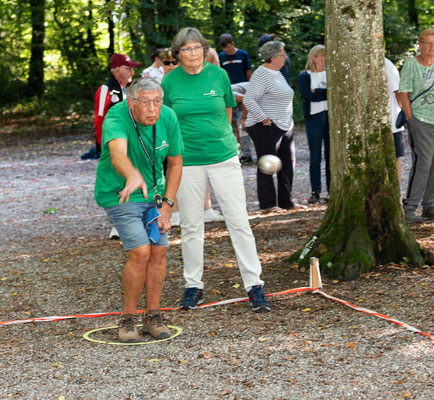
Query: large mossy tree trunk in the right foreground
{"points": [[364, 224]]}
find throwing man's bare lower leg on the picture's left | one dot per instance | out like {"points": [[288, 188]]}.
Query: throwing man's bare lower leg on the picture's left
{"points": [[134, 276]]}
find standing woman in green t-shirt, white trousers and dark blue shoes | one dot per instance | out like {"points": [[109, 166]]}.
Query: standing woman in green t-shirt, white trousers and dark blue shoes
{"points": [[201, 96]]}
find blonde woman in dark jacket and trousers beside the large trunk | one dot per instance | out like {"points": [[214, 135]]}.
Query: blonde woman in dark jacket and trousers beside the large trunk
{"points": [[312, 85]]}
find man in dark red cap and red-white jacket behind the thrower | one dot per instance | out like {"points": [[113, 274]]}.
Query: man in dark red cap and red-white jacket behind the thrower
{"points": [[110, 93]]}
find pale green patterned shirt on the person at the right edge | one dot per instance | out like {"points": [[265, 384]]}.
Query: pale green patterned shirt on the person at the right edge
{"points": [[415, 78]]}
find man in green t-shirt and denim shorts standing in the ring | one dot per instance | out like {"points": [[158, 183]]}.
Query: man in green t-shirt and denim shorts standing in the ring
{"points": [[138, 134]]}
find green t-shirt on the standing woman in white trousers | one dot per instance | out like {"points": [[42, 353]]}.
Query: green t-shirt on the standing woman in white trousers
{"points": [[200, 102]]}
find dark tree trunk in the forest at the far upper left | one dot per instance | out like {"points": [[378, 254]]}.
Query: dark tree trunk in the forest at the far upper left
{"points": [[35, 82]]}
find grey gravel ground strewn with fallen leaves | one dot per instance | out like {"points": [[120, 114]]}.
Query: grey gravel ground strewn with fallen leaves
{"points": [[56, 260]]}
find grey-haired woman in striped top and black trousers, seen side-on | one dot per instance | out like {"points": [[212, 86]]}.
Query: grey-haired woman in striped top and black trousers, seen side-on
{"points": [[269, 123]]}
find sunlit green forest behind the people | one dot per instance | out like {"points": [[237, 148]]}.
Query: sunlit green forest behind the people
{"points": [[55, 52]]}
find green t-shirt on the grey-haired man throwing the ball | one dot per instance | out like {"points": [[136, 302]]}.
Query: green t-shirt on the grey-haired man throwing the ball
{"points": [[117, 124]]}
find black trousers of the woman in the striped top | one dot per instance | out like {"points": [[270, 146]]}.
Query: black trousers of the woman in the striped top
{"points": [[275, 141]]}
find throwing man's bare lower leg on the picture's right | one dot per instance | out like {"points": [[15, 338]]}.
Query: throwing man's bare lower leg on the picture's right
{"points": [[156, 271]]}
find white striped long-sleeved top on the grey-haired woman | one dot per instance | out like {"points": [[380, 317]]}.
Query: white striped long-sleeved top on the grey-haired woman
{"points": [[269, 95]]}
